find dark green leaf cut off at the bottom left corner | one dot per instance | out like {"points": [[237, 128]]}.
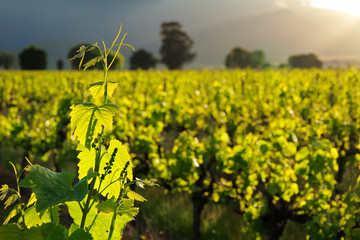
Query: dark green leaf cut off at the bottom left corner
{"points": [[12, 231]]}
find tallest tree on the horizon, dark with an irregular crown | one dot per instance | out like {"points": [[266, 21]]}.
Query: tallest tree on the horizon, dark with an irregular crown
{"points": [[176, 45]]}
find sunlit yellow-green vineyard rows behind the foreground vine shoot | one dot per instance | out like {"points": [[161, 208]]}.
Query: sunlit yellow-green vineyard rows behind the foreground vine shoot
{"points": [[277, 147]]}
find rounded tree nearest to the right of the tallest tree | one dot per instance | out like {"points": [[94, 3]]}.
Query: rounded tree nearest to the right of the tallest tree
{"points": [[238, 58]]}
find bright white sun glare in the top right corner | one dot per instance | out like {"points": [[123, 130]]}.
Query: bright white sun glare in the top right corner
{"points": [[348, 6]]}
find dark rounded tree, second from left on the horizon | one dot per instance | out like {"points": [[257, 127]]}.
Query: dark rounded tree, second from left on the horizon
{"points": [[33, 58]]}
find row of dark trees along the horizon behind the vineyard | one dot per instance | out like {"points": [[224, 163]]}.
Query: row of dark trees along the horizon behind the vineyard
{"points": [[175, 51]]}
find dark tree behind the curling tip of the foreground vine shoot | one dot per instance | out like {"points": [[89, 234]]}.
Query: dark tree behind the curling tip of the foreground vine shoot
{"points": [[118, 62]]}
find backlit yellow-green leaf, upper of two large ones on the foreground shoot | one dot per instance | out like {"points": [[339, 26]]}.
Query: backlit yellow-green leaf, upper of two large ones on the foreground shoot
{"points": [[87, 120]]}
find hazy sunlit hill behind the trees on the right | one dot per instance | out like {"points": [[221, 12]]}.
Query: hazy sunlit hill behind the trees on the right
{"points": [[329, 34]]}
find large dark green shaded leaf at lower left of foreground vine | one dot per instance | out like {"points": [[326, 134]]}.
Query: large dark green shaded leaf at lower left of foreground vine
{"points": [[52, 188]]}
